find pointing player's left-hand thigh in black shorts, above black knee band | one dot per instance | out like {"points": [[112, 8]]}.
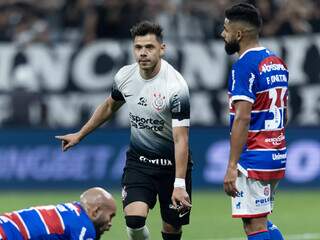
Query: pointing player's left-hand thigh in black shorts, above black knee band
{"points": [[138, 190]]}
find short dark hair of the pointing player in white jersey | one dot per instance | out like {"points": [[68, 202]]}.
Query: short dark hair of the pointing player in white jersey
{"points": [[146, 27]]}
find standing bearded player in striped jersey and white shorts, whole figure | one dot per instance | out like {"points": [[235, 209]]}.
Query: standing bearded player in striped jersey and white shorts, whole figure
{"points": [[258, 89]]}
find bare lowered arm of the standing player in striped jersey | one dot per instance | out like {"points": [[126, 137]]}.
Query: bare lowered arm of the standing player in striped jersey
{"points": [[239, 135]]}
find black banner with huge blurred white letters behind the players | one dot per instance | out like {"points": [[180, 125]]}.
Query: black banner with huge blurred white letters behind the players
{"points": [[59, 86]]}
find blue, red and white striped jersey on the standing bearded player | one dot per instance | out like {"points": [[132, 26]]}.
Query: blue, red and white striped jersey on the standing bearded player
{"points": [[260, 77]]}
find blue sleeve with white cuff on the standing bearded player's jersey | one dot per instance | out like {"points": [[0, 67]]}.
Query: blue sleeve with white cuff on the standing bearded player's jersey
{"points": [[243, 83]]}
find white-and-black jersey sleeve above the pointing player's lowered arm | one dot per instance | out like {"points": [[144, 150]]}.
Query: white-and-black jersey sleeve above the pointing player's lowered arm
{"points": [[180, 105]]}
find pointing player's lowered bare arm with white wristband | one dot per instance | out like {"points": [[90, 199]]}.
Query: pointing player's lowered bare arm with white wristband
{"points": [[181, 149]]}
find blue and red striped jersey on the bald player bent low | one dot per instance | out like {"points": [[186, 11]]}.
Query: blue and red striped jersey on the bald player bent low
{"points": [[63, 221]]}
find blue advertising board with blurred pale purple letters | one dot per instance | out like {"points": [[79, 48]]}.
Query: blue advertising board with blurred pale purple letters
{"points": [[33, 159]]}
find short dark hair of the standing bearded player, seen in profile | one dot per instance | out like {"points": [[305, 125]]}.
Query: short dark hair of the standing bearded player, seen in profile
{"points": [[244, 12]]}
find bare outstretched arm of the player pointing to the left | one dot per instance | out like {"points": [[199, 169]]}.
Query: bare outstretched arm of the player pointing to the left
{"points": [[102, 114]]}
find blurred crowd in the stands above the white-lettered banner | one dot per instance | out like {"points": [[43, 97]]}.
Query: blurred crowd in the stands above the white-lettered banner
{"points": [[83, 21]]}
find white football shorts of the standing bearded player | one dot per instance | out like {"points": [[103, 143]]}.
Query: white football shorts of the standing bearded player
{"points": [[255, 198]]}
